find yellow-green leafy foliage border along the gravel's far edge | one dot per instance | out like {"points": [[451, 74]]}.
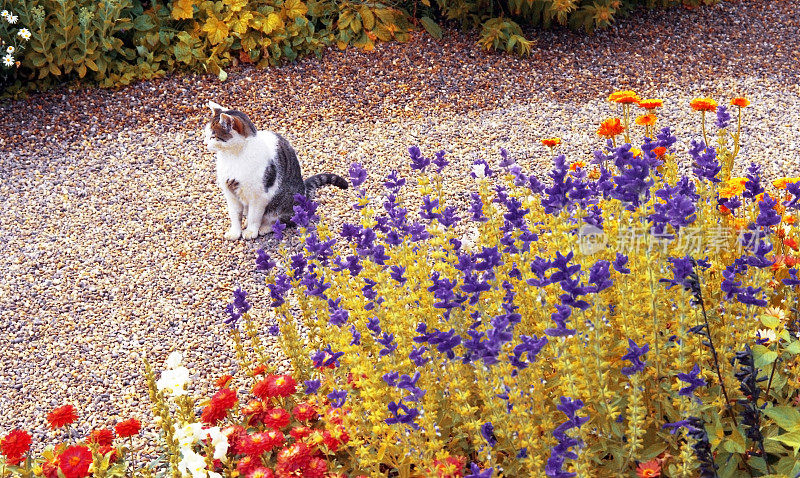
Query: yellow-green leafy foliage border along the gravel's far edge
{"points": [[113, 42]]}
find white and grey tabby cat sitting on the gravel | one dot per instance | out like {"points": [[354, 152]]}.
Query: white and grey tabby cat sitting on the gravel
{"points": [[258, 173]]}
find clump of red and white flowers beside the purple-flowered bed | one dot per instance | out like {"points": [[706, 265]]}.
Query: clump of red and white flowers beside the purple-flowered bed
{"points": [[277, 432]]}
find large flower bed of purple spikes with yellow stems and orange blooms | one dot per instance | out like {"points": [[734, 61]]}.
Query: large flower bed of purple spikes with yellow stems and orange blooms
{"points": [[621, 318]]}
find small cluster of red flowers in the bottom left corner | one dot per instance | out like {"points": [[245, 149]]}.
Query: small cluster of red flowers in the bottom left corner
{"points": [[95, 455]]}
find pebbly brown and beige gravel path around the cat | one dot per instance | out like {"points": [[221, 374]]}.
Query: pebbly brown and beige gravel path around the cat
{"points": [[111, 230]]}
